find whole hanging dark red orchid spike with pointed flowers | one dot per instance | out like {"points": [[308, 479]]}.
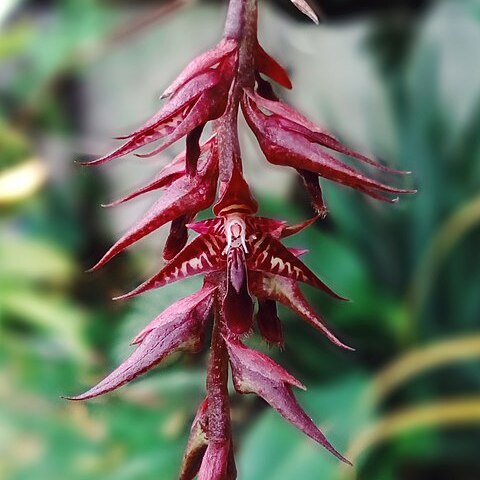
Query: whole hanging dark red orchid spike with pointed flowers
{"points": [[240, 255]]}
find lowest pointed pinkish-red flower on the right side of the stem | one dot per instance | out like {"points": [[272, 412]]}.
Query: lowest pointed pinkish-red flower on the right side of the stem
{"points": [[254, 372]]}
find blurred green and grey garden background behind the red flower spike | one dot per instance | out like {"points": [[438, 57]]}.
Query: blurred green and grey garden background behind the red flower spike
{"points": [[398, 78]]}
